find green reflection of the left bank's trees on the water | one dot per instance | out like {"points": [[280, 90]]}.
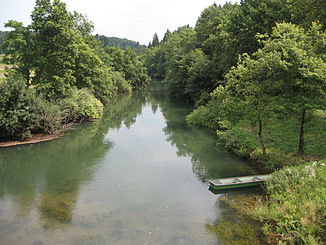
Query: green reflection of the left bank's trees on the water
{"points": [[56, 170]]}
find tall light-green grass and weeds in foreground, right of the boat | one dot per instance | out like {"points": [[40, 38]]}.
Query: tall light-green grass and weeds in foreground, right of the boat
{"points": [[295, 209]]}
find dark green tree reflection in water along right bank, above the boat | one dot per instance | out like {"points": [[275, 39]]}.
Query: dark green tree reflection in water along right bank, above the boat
{"points": [[198, 143]]}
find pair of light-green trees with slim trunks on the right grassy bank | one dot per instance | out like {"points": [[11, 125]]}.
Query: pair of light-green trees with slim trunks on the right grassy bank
{"points": [[287, 75]]}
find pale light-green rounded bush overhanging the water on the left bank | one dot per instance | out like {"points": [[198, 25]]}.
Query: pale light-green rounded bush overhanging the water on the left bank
{"points": [[81, 106]]}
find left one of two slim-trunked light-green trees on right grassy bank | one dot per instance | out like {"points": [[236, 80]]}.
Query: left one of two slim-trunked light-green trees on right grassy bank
{"points": [[251, 91]]}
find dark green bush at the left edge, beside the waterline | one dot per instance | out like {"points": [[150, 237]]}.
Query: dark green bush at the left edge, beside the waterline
{"points": [[18, 108]]}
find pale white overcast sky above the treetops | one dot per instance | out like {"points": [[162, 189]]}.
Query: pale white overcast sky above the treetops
{"points": [[137, 20]]}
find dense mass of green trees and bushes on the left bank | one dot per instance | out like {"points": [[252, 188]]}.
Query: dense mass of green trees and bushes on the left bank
{"points": [[67, 73]]}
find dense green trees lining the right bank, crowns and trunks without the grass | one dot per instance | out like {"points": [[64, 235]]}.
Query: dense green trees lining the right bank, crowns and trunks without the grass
{"points": [[238, 64]]}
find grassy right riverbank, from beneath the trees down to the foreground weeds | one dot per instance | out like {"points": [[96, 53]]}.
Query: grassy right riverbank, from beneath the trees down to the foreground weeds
{"points": [[295, 205]]}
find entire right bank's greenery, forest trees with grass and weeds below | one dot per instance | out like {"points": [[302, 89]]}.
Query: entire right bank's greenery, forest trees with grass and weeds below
{"points": [[255, 72]]}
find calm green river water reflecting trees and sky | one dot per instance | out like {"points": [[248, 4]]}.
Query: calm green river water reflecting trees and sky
{"points": [[138, 176]]}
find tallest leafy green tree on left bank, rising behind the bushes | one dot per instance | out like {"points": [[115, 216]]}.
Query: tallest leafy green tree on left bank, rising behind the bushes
{"points": [[67, 54]]}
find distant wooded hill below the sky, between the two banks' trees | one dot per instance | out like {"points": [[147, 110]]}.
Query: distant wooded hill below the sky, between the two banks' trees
{"points": [[123, 43]]}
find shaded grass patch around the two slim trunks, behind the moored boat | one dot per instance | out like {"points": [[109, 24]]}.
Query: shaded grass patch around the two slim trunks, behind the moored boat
{"points": [[281, 138]]}
